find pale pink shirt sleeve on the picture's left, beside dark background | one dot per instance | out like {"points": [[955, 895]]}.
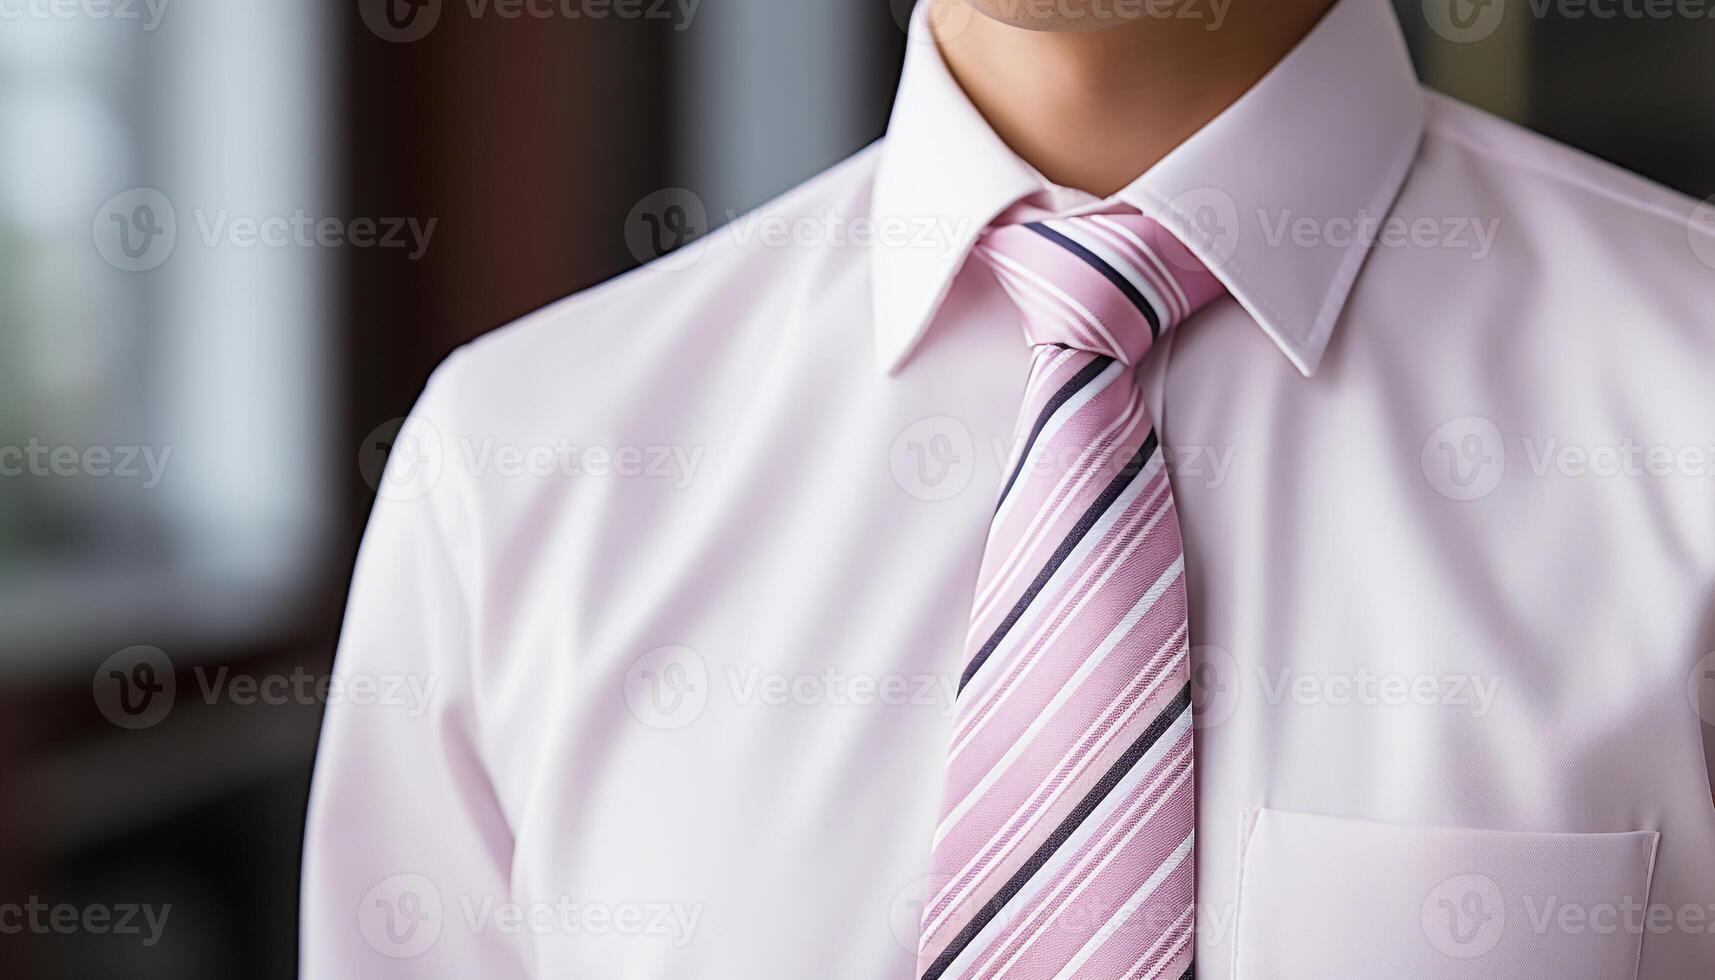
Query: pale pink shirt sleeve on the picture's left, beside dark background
{"points": [[407, 849]]}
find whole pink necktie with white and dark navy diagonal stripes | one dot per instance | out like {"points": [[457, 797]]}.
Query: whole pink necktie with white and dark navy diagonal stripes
{"points": [[1066, 835]]}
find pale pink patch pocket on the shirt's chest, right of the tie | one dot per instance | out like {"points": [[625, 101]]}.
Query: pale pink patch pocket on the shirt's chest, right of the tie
{"points": [[1332, 898]]}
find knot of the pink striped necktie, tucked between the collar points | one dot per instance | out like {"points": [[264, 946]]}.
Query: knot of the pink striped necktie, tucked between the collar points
{"points": [[1105, 284]]}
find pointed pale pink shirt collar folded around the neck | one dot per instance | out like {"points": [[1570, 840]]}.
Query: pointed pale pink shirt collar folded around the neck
{"points": [[1327, 136]]}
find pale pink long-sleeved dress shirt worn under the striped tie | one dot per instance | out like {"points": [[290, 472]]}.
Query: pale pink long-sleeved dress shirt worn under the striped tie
{"points": [[685, 566]]}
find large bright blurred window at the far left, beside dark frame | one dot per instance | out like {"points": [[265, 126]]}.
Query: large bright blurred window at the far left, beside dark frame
{"points": [[162, 377]]}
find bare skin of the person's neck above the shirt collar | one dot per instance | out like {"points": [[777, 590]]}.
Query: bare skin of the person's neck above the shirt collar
{"points": [[1097, 107]]}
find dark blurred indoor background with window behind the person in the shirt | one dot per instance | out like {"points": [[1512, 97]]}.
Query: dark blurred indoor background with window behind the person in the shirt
{"points": [[236, 236]]}
